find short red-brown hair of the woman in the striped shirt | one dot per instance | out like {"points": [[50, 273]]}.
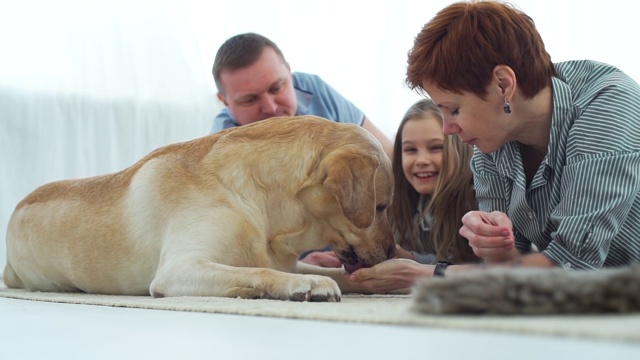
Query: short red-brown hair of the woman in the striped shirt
{"points": [[459, 48]]}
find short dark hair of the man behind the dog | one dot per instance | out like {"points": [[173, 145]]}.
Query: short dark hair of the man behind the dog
{"points": [[240, 51]]}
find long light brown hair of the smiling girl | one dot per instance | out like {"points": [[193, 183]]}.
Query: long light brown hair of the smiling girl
{"points": [[453, 196]]}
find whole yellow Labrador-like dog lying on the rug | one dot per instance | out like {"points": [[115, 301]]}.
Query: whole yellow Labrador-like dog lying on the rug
{"points": [[224, 215]]}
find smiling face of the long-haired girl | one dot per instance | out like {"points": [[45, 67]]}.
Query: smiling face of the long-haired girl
{"points": [[422, 145]]}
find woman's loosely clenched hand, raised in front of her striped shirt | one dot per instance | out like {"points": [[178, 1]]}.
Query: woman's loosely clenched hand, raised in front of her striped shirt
{"points": [[490, 235]]}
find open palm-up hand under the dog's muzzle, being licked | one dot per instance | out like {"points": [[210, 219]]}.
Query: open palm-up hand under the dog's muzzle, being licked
{"points": [[394, 275]]}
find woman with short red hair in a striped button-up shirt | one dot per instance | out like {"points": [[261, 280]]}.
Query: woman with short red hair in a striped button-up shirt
{"points": [[556, 165]]}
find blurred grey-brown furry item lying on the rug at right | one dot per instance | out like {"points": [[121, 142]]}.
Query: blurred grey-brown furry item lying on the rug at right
{"points": [[531, 291]]}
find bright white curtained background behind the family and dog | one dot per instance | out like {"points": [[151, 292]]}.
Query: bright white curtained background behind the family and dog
{"points": [[88, 87]]}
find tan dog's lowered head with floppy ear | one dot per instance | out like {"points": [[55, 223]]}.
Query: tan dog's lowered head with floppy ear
{"points": [[351, 201]]}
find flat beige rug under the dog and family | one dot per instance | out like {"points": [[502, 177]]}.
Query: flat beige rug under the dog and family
{"points": [[374, 309]]}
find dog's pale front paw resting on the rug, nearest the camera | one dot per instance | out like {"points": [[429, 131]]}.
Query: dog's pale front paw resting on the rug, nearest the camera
{"points": [[315, 288]]}
